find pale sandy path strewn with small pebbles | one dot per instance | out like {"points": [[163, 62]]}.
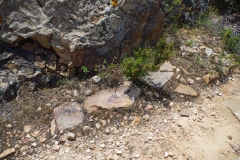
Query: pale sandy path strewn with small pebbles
{"points": [[209, 133]]}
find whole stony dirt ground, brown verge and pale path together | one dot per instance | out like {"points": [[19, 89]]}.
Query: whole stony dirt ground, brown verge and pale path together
{"points": [[161, 124]]}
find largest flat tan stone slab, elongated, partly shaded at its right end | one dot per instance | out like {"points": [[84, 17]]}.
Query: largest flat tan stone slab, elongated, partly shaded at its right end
{"points": [[122, 97]]}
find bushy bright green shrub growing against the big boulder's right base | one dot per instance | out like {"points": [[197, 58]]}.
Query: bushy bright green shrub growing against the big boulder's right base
{"points": [[146, 59]]}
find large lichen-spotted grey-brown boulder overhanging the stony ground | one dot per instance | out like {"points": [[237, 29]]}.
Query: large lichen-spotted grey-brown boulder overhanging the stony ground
{"points": [[84, 32]]}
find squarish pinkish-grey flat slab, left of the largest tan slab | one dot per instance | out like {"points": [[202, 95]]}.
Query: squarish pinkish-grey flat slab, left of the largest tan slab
{"points": [[68, 115]]}
